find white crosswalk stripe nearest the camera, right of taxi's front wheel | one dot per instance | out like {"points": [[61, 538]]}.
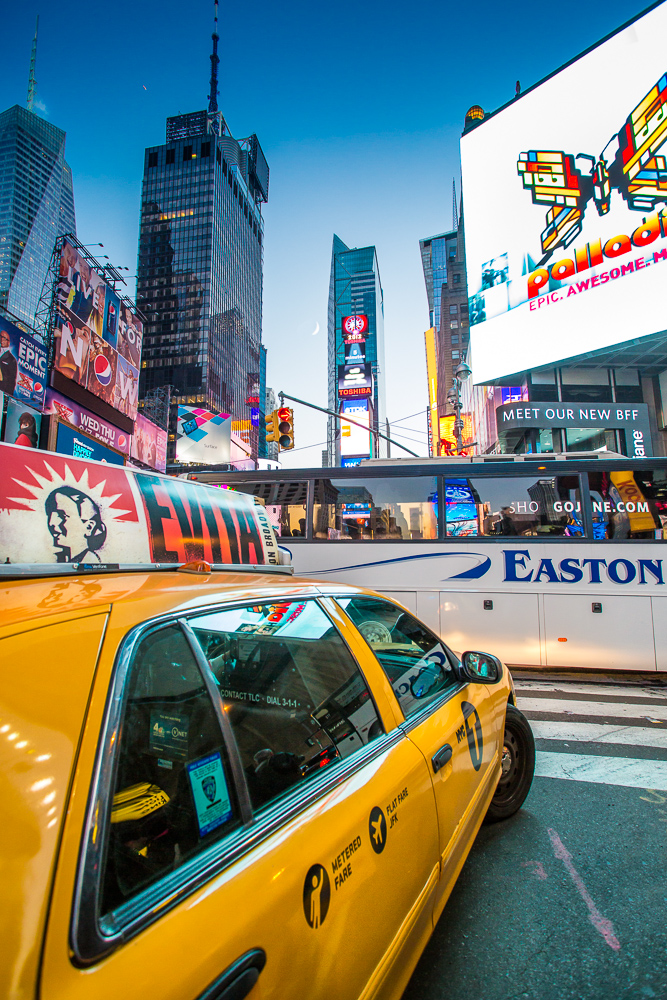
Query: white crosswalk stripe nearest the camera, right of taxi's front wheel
{"points": [[624, 771]]}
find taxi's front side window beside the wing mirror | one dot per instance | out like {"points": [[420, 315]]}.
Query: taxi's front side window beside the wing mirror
{"points": [[419, 666]]}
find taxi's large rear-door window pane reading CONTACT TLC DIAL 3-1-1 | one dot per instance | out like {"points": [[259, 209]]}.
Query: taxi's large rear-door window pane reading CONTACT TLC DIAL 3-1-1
{"points": [[295, 698]]}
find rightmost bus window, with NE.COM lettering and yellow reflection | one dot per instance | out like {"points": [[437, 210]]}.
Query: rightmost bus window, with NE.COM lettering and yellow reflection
{"points": [[629, 504]]}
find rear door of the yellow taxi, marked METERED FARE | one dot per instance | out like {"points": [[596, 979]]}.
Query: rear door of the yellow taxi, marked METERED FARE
{"points": [[326, 891]]}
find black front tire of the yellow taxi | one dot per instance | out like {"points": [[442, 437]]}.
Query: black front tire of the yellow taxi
{"points": [[518, 767]]}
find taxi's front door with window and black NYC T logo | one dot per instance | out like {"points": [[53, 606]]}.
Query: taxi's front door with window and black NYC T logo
{"points": [[454, 726]]}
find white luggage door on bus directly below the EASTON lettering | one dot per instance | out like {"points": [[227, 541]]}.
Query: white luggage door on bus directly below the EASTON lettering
{"points": [[618, 637]]}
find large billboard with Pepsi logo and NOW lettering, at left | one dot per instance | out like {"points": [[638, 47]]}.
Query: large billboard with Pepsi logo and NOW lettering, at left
{"points": [[97, 337]]}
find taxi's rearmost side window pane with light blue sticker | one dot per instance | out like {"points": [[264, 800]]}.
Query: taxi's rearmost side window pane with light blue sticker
{"points": [[173, 794]]}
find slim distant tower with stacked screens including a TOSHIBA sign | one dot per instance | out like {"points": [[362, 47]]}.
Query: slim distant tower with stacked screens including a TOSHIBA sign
{"points": [[355, 353]]}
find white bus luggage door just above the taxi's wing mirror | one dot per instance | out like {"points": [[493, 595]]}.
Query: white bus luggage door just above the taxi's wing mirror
{"points": [[509, 628]]}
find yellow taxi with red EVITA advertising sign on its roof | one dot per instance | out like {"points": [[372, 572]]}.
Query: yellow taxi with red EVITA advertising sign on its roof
{"points": [[229, 782]]}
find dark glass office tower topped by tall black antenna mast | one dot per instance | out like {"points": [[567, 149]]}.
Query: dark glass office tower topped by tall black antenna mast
{"points": [[200, 268]]}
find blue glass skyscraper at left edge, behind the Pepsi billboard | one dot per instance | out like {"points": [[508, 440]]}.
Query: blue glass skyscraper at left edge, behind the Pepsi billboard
{"points": [[36, 206]]}
